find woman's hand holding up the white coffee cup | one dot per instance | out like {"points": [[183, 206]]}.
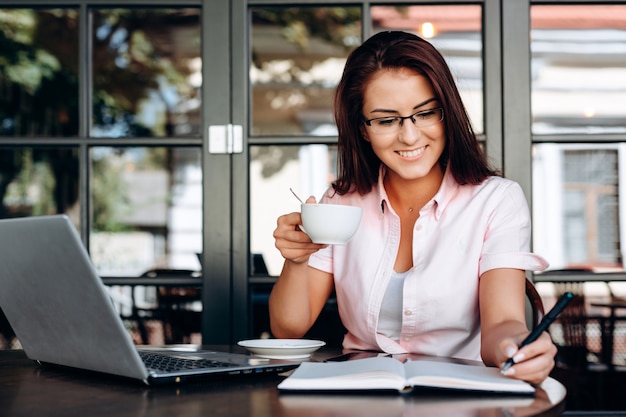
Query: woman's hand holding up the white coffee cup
{"points": [[294, 245]]}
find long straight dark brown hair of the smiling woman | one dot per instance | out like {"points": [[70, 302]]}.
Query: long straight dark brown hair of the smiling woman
{"points": [[358, 165]]}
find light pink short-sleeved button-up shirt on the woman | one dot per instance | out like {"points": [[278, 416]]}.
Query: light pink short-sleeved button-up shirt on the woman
{"points": [[461, 233]]}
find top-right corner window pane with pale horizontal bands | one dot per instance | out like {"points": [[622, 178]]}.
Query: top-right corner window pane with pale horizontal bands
{"points": [[578, 69]]}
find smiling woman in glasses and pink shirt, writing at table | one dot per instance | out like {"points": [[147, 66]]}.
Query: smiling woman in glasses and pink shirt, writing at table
{"points": [[438, 263]]}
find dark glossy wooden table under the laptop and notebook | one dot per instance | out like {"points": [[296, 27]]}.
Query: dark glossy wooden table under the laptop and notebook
{"points": [[27, 389]]}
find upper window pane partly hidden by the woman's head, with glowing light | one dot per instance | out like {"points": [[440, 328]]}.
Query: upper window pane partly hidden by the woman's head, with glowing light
{"points": [[456, 31]]}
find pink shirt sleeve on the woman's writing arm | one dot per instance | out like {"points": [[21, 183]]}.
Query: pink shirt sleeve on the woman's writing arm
{"points": [[507, 235]]}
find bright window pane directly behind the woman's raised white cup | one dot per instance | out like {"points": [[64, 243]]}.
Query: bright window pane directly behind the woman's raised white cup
{"points": [[308, 170]]}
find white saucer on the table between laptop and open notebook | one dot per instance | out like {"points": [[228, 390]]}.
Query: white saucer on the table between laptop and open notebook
{"points": [[282, 348]]}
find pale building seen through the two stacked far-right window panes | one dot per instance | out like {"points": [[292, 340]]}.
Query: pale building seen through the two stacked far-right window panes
{"points": [[578, 89]]}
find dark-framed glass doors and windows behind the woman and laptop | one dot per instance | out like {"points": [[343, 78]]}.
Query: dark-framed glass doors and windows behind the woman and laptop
{"points": [[170, 133]]}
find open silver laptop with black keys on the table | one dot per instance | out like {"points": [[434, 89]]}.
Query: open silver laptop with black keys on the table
{"points": [[62, 313]]}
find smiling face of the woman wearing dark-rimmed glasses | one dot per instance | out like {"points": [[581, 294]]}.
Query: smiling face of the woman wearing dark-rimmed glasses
{"points": [[408, 151]]}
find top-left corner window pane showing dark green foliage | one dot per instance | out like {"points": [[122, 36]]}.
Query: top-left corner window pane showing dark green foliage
{"points": [[38, 72]]}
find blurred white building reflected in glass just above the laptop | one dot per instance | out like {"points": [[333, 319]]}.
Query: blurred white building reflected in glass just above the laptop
{"points": [[163, 221]]}
